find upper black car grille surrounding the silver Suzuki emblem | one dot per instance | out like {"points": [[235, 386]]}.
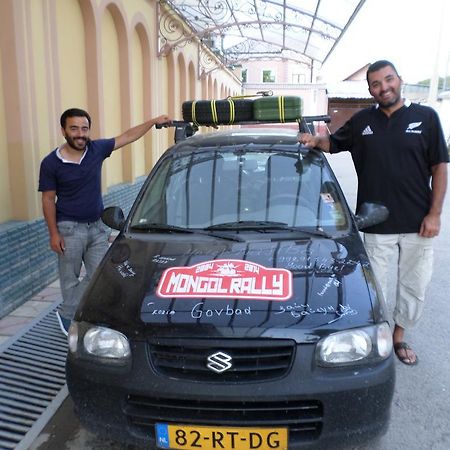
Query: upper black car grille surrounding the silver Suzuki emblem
{"points": [[252, 360]]}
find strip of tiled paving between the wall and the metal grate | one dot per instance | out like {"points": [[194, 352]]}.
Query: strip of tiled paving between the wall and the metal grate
{"points": [[23, 315]]}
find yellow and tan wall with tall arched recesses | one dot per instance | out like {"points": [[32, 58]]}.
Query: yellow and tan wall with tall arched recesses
{"points": [[99, 55]]}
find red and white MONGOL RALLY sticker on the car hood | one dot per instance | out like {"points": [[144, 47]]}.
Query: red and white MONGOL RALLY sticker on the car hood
{"points": [[226, 278]]}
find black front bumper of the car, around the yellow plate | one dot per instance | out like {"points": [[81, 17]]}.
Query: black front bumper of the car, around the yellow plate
{"points": [[320, 406]]}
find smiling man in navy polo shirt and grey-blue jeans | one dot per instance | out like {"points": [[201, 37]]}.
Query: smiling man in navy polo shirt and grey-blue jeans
{"points": [[70, 182]]}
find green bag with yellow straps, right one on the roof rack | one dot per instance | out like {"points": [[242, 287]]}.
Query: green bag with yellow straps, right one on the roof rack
{"points": [[277, 108]]}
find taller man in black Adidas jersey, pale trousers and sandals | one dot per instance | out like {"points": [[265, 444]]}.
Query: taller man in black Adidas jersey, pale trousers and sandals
{"points": [[400, 156]]}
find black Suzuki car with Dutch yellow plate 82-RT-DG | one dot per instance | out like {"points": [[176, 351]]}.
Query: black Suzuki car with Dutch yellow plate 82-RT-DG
{"points": [[237, 308]]}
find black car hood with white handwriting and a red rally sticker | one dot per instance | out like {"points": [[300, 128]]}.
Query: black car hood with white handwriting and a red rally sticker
{"points": [[171, 285]]}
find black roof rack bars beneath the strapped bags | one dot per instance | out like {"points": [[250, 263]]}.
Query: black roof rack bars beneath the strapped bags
{"points": [[184, 130]]}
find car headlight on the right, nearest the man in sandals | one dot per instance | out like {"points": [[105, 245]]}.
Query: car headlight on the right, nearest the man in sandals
{"points": [[355, 346]]}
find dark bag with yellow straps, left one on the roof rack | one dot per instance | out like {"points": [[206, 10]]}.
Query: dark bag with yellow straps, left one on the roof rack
{"points": [[218, 112]]}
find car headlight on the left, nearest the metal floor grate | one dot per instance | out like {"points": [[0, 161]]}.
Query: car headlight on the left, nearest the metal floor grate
{"points": [[106, 343]]}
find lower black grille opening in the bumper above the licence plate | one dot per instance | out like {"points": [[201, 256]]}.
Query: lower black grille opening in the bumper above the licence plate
{"points": [[302, 417]]}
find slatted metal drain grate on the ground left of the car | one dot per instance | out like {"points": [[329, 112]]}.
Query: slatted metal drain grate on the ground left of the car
{"points": [[32, 380]]}
